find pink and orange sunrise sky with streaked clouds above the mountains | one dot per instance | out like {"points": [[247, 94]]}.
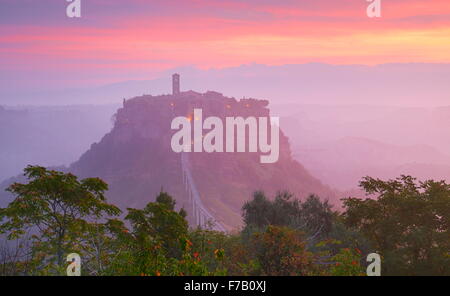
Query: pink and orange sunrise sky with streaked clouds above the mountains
{"points": [[135, 39]]}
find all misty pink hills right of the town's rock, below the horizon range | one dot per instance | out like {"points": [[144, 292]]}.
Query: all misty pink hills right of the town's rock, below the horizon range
{"points": [[342, 143]]}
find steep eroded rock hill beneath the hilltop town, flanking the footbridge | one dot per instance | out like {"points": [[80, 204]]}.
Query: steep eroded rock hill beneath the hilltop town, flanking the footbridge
{"points": [[136, 158]]}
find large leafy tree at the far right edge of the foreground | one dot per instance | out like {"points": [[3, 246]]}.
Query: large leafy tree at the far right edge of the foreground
{"points": [[408, 223]]}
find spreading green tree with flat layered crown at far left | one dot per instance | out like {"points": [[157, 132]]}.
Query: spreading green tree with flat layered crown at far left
{"points": [[56, 208]]}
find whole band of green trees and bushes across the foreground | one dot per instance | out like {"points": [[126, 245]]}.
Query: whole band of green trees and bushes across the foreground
{"points": [[55, 214]]}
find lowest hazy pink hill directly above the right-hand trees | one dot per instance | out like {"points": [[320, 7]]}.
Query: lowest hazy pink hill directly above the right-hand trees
{"points": [[344, 162]]}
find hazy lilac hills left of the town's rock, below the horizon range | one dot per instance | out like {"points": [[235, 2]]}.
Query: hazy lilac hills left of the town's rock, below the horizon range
{"points": [[49, 135]]}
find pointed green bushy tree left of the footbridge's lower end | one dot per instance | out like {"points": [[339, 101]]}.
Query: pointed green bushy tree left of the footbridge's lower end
{"points": [[159, 243]]}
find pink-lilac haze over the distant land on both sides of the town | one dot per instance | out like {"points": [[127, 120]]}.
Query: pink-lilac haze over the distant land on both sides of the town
{"points": [[339, 132]]}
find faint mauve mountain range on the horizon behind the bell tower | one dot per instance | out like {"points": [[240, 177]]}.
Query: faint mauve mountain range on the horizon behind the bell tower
{"points": [[406, 84]]}
